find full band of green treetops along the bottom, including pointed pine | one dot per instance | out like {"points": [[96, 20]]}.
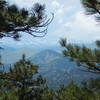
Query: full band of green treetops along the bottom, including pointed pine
{"points": [[19, 84]]}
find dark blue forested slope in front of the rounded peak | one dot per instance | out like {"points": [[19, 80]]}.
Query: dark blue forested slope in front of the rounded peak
{"points": [[57, 76]]}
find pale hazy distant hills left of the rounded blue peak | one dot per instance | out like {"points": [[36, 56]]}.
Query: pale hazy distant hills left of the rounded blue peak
{"points": [[10, 56]]}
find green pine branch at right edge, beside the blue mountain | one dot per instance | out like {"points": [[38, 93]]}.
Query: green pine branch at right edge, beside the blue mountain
{"points": [[84, 56]]}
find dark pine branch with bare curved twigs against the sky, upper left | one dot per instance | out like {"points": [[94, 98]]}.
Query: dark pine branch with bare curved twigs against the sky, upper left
{"points": [[14, 20]]}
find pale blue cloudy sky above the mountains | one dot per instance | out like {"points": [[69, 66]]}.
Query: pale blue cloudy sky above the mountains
{"points": [[69, 22]]}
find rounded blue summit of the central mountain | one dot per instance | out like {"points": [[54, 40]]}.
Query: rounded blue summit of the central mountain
{"points": [[44, 57]]}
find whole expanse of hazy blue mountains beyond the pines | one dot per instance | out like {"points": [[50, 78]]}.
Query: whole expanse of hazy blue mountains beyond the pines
{"points": [[52, 65]]}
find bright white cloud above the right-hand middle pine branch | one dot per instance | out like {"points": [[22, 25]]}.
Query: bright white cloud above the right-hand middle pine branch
{"points": [[83, 28]]}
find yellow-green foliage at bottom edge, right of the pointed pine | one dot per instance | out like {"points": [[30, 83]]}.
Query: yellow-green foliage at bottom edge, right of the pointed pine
{"points": [[74, 92]]}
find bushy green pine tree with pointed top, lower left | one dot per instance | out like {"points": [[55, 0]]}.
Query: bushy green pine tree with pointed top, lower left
{"points": [[19, 82]]}
